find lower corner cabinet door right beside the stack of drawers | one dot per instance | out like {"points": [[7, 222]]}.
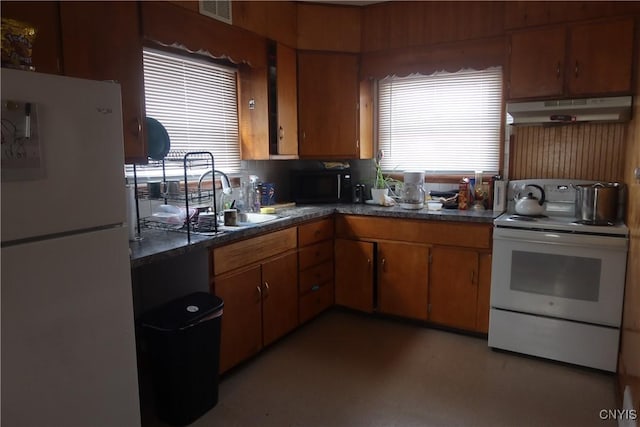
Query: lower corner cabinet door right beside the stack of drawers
{"points": [[354, 274]]}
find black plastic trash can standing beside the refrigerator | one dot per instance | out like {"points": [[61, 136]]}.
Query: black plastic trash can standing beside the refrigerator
{"points": [[183, 339]]}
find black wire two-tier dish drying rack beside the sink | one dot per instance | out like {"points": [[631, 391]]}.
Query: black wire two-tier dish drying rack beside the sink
{"points": [[191, 199]]}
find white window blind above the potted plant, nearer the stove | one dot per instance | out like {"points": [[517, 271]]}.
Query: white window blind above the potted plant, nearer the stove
{"points": [[446, 122]]}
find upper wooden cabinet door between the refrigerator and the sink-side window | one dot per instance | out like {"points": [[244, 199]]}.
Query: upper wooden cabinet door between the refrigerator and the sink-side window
{"points": [[102, 41]]}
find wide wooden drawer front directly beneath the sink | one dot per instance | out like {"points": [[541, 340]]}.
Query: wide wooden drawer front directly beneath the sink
{"points": [[252, 250]]}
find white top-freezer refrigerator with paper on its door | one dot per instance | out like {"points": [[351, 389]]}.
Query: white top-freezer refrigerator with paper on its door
{"points": [[67, 323]]}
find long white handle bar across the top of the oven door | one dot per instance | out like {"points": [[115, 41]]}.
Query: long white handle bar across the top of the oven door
{"points": [[564, 239]]}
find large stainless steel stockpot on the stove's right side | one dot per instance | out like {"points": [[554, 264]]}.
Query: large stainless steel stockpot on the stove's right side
{"points": [[597, 203]]}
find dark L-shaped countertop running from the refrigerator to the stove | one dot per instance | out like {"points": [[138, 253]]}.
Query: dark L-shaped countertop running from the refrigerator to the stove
{"points": [[158, 245]]}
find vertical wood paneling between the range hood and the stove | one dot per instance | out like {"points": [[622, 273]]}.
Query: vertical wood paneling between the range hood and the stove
{"points": [[581, 151]]}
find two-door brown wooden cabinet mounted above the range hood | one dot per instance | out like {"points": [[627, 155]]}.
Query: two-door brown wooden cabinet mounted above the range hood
{"points": [[587, 59]]}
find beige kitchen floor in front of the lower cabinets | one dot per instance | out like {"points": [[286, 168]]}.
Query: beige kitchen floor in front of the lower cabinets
{"points": [[347, 369]]}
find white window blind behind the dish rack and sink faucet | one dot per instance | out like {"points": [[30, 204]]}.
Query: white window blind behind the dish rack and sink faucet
{"points": [[196, 101]]}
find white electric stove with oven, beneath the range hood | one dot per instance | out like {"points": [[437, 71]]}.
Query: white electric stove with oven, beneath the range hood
{"points": [[557, 285]]}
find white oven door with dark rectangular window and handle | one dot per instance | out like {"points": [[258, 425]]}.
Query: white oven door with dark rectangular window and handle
{"points": [[563, 275]]}
